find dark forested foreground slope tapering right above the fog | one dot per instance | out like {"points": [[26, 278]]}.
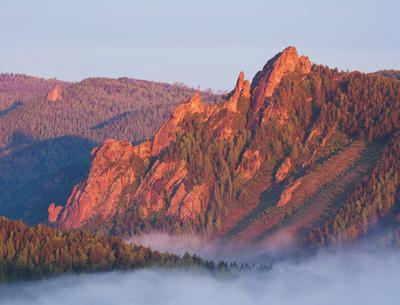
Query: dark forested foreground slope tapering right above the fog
{"points": [[37, 252]]}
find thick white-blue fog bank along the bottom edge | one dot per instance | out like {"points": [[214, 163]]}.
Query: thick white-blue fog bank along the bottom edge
{"points": [[345, 278]]}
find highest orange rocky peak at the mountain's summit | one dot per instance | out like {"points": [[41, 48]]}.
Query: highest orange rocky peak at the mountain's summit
{"points": [[265, 81]]}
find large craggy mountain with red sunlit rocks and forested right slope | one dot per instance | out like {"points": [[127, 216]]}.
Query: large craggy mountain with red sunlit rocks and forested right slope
{"points": [[303, 154]]}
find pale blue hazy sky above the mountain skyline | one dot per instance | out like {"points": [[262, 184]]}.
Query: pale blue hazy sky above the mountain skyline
{"points": [[200, 43]]}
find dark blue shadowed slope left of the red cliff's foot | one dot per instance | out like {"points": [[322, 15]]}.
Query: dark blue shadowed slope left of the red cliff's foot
{"points": [[35, 173]]}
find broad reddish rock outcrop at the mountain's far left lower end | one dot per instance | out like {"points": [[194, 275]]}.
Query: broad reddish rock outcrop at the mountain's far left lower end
{"points": [[113, 173]]}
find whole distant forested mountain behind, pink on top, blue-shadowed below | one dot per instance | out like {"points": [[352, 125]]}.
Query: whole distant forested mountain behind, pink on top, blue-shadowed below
{"points": [[48, 128]]}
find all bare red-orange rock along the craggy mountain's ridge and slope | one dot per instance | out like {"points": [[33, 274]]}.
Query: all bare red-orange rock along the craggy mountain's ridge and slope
{"points": [[123, 176]]}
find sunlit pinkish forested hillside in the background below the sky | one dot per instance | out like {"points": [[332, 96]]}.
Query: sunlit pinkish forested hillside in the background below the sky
{"points": [[94, 109]]}
